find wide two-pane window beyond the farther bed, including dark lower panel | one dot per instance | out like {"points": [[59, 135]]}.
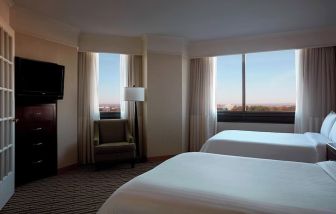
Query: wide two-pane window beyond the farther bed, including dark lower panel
{"points": [[256, 87]]}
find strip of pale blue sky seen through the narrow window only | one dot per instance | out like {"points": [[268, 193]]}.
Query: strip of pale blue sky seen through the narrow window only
{"points": [[109, 78]]}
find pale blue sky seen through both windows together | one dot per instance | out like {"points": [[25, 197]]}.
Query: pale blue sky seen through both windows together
{"points": [[270, 78]]}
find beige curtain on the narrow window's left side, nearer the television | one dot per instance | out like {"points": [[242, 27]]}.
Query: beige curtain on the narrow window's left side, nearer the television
{"points": [[88, 109]]}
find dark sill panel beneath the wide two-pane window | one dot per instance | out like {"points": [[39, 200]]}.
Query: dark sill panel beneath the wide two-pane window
{"points": [[256, 117]]}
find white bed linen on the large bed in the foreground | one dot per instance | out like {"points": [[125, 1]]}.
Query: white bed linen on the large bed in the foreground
{"points": [[193, 183]]}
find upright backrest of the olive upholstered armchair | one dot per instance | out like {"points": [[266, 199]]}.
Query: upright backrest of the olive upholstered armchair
{"points": [[112, 131]]}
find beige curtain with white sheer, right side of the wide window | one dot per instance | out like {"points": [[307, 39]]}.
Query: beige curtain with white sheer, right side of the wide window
{"points": [[316, 87]]}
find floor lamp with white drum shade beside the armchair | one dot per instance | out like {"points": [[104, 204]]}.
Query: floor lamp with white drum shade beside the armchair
{"points": [[135, 94]]}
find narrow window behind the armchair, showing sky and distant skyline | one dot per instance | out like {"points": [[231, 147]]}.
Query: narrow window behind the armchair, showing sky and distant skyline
{"points": [[109, 85]]}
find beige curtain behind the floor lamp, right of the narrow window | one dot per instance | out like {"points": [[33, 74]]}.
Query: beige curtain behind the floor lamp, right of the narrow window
{"points": [[132, 66]]}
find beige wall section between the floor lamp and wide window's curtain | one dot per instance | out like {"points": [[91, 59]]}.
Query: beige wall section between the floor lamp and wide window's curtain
{"points": [[165, 75]]}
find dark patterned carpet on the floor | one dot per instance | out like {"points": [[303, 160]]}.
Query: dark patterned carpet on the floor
{"points": [[82, 190]]}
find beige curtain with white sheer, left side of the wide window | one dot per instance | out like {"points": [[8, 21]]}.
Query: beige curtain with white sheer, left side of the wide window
{"points": [[203, 117]]}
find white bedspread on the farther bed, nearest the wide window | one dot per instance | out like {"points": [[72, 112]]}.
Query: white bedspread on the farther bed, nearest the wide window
{"points": [[308, 147]]}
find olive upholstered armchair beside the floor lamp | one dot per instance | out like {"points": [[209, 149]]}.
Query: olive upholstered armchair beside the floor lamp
{"points": [[113, 142]]}
